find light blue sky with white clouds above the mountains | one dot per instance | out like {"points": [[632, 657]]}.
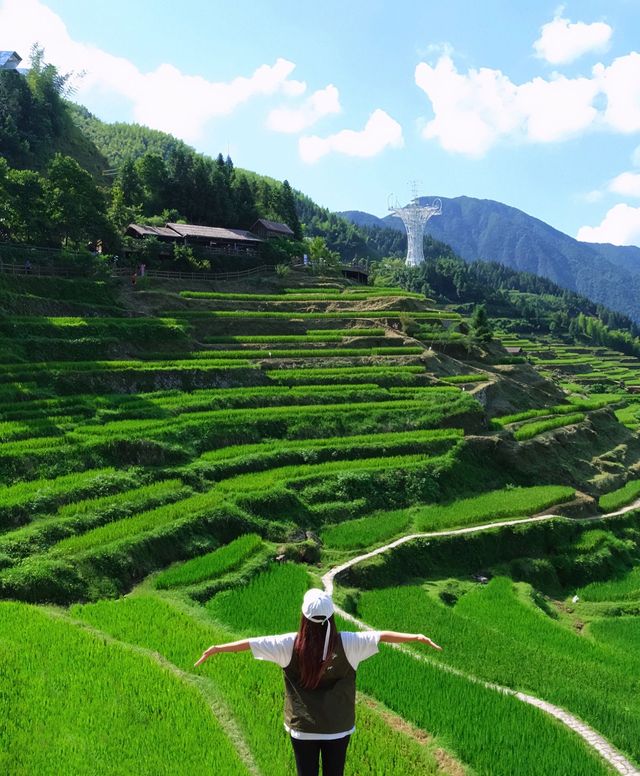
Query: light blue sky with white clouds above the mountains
{"points": [[529, 103]]}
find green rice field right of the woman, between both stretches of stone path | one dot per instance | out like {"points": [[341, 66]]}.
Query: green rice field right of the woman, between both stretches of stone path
{"points": [[498, 634]]}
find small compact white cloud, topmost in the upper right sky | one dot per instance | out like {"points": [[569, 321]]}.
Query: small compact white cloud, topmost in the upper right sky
{"points": [[562, 41]]}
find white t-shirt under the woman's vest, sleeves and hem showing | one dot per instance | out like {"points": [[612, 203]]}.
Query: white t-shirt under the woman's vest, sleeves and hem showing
{"points": [[279, 649]]}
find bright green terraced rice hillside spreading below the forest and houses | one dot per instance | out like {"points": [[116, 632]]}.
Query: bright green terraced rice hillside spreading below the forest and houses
{"points": [[208, 450]]}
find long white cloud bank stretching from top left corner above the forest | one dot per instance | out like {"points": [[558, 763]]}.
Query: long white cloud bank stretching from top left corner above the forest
{"points": [[165, 98]]}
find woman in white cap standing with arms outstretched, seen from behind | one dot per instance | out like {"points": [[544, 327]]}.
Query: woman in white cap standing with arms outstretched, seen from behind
{"points": [[319, 665]]}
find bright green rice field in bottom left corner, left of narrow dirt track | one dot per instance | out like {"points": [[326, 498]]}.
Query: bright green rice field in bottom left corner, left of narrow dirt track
{"points": [[137, 717]]}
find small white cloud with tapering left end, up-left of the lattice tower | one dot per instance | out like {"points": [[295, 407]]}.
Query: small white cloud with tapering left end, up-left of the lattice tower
{"points": [[380, 132]]}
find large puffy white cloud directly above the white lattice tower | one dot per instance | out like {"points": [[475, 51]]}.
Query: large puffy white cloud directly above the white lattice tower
{"points": [[473, 111]]}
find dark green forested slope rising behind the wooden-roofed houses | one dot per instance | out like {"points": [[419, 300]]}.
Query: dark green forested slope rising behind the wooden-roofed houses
{"points": [[140, 174]]}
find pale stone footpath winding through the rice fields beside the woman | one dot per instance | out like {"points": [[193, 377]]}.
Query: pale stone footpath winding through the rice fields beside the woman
{"points": [[593, 739]]}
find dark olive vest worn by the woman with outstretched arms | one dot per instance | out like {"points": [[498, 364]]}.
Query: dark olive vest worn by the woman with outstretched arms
{"points": [[331, 707]]}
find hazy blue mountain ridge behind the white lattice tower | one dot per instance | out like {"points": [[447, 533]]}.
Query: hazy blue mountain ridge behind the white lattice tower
{"points": [[491, 231]]}
